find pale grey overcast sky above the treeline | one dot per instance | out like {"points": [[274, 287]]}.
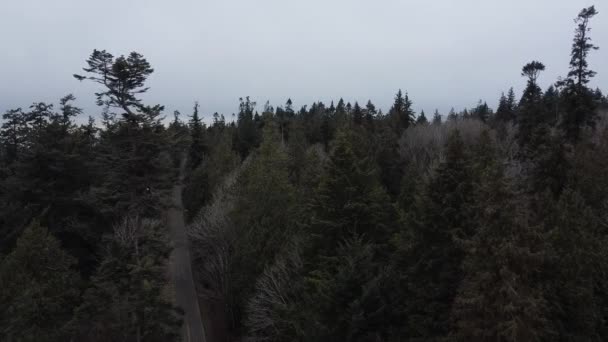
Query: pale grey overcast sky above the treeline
{"points": [[445, 53]]}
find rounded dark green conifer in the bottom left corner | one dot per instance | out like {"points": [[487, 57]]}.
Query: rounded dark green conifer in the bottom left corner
{"points": [[39, 288]]}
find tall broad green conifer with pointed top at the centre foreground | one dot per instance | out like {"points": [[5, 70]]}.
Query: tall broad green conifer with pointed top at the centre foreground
{"points": [[350, 224]]}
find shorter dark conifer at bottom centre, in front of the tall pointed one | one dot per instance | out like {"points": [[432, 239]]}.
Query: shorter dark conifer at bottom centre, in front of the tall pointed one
{"points": [[344, 295]]}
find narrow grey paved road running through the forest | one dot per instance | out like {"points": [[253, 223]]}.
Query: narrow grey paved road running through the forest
{"points": [[181, 267]]}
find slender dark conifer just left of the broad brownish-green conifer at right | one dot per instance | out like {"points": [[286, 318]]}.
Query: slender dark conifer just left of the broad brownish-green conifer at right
{"points": [[442, 216]]}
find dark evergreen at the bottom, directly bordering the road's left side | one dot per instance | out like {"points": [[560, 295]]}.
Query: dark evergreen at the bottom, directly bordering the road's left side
{"points": [[127, 298]]}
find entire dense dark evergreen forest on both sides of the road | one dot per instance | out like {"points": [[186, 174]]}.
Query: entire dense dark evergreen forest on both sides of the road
{"points": [[329, 222]]}
